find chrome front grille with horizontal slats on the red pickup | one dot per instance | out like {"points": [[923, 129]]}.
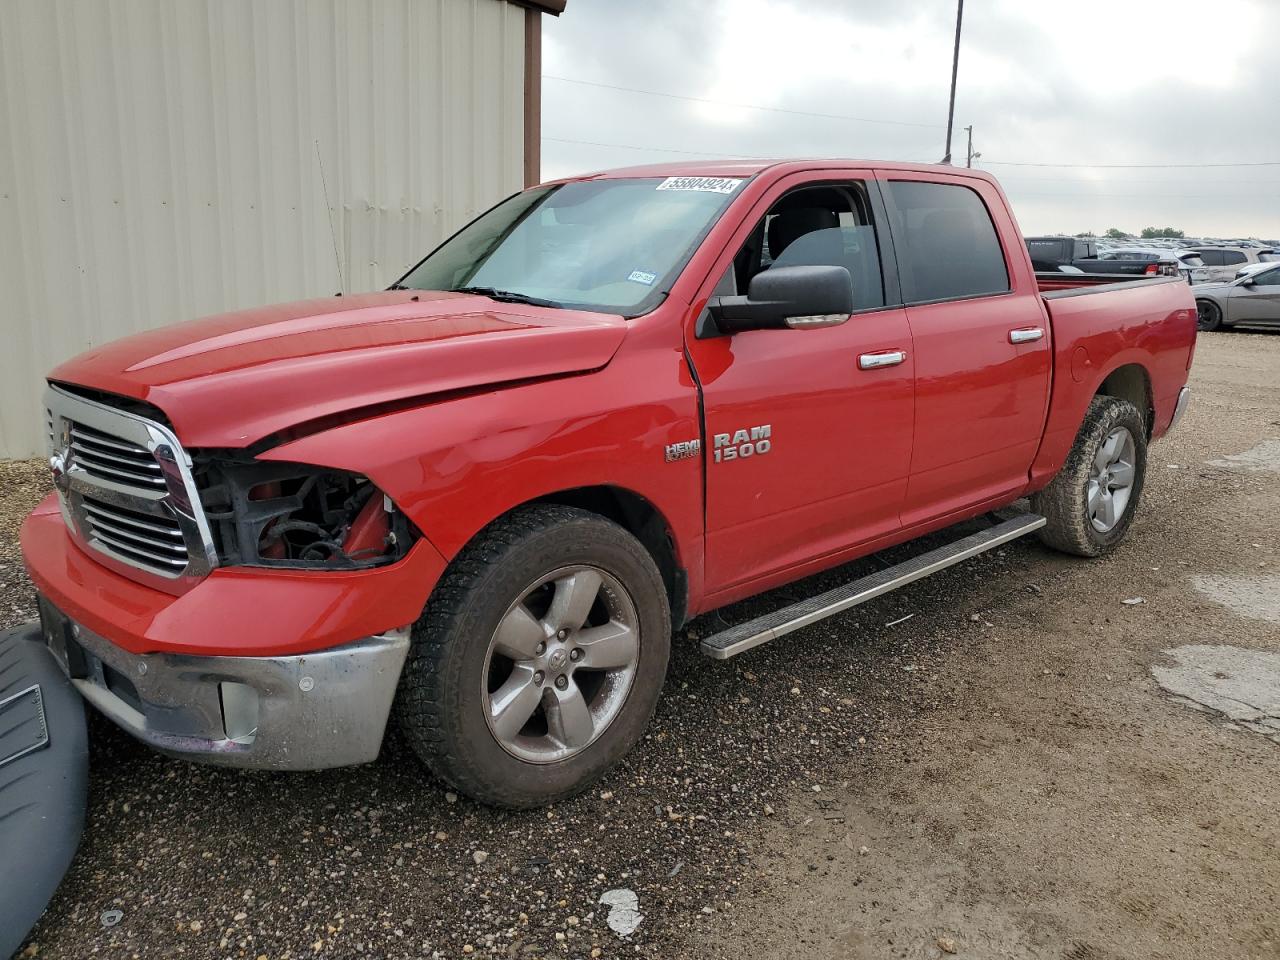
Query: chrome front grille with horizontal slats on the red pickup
{"points": [[127, 493]]}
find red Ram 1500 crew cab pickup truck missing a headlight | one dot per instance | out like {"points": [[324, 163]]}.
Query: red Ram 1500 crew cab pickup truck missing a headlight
{"points": [[483, 500]]}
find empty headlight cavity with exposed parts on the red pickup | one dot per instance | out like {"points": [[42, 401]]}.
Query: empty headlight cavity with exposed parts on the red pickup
{"points": [[299, 516]]}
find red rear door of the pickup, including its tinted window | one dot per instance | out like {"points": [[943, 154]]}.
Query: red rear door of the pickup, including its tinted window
{"points": [[982, 345]]}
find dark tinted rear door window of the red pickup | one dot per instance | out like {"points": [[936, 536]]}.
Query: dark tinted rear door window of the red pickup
{"points": [[947, 243]]}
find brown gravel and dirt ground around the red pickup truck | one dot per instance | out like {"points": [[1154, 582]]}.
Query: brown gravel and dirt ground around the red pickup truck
{"points": [[996, 776]]}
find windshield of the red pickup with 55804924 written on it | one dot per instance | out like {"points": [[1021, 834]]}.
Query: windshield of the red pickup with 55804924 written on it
{"points": [[612, 246]]}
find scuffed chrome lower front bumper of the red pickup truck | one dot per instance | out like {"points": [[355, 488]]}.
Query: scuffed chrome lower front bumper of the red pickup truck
{"points": [[298, 712]]}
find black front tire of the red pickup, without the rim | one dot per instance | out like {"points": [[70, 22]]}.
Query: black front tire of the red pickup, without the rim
{"points": [[441, 707]]}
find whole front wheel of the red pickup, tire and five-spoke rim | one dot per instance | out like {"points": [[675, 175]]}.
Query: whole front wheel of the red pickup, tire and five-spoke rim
{"points": [[540, 659]]}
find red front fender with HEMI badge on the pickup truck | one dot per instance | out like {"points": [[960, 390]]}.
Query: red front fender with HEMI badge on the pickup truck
{"points": [[458, 465]]}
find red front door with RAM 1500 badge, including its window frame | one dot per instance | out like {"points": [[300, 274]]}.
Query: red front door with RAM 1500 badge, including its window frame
{"points": [[808, 432]]}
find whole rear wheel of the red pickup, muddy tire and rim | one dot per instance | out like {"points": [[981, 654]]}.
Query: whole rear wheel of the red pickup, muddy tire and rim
{"points": [[1091, 504]]}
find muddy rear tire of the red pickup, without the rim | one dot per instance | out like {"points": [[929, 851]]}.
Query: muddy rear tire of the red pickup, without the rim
{"points": [[1066, 501]]}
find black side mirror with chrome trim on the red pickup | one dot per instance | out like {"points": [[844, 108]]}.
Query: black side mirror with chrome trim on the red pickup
{"points": [[788, 298]]}
